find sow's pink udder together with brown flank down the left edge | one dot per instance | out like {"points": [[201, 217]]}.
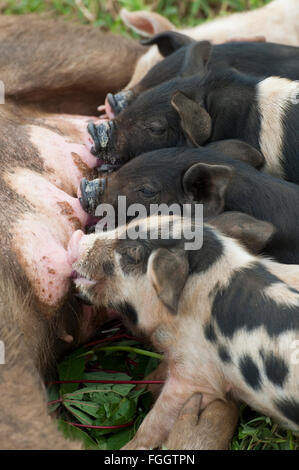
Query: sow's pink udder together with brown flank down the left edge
{"points": [[39, 316]]}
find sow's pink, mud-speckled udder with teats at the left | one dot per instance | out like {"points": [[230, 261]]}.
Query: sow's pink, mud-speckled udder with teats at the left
{"points": [[42, 176]]}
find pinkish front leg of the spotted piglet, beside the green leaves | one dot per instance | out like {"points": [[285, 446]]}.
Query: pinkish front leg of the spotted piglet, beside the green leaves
{"points": [[157, 424]]}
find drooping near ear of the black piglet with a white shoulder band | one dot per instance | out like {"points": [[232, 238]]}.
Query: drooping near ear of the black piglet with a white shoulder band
{"points": [[196, 122]]}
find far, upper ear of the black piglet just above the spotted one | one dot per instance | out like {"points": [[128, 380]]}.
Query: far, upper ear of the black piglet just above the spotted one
{"points": [[239, 150]]}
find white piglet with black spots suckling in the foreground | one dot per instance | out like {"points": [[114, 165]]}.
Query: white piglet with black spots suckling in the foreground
{"points": [[227, 325]]}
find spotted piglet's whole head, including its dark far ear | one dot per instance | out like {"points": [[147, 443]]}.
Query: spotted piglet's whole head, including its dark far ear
{"points": [[146, 279]]}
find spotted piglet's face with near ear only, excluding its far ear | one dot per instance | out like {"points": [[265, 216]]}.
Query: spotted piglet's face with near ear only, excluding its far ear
{"points": [[142, 279]]}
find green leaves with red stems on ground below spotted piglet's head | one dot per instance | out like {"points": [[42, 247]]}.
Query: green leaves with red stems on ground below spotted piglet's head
{"points": [[107, 405]]}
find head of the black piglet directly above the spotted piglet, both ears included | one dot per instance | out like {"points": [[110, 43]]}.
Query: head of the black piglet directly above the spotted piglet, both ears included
{"points": [[177, 176]]}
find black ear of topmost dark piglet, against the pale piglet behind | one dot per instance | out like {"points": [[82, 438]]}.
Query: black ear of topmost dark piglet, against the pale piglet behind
{"points": [[168, 42]]}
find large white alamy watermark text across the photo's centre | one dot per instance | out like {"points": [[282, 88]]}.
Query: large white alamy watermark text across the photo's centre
{"points": [[188, 221]]}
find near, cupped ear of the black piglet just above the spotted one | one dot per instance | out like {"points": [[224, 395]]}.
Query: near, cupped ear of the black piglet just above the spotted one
{"points": [[207, 184]]}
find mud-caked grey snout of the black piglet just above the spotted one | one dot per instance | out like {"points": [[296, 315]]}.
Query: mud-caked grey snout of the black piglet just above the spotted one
{"points": [[90, 193]]}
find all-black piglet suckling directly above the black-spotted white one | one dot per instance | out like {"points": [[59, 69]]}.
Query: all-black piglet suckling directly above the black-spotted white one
{"points": [[224, 176]]}
